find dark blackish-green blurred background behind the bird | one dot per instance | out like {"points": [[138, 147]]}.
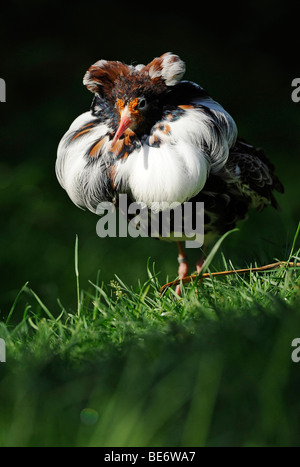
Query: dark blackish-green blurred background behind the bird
{"points": [[245, 57]]}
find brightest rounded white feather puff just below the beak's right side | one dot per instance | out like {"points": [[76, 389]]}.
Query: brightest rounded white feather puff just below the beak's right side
{"points": [[172, 172]]}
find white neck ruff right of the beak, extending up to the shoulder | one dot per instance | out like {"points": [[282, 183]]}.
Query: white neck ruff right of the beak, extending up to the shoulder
{"points": [[177, 170]]}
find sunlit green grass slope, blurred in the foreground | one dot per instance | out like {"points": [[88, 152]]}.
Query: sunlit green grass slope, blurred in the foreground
{"points": [[212, 368]]}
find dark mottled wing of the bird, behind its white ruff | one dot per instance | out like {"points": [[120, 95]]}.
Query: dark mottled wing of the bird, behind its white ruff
{"points": [[247, 180]]}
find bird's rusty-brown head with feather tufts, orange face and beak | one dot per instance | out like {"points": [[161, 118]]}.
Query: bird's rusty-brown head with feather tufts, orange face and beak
{"points": [[132, 92]]}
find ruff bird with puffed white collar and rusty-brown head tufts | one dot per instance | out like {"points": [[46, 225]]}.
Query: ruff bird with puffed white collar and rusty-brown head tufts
{"points": [[161, 139]]}
